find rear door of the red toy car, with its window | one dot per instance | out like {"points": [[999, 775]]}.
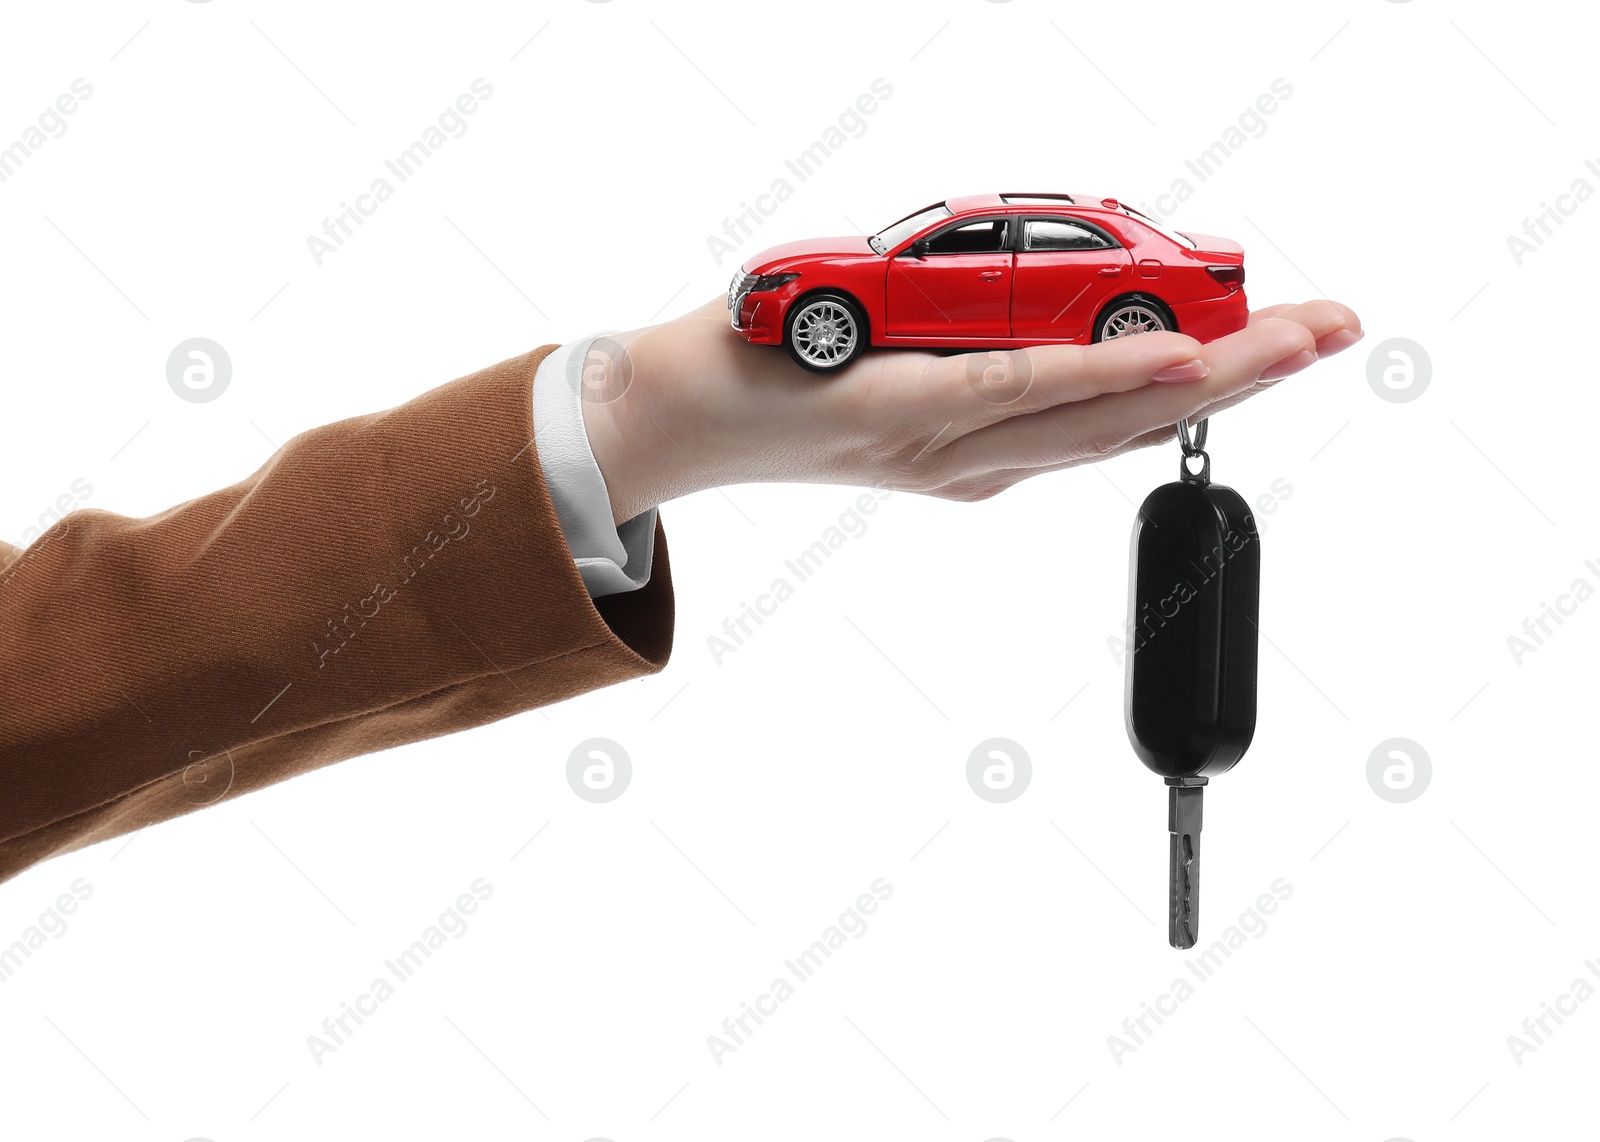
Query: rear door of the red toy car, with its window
{"points": [[1065, 273]]}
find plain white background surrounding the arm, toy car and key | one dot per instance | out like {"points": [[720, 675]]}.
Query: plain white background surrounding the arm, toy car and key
{"points": [[831, 749]]}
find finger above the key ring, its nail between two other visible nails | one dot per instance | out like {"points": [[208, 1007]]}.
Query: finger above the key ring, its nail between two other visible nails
{"points": [[1098, 428]]}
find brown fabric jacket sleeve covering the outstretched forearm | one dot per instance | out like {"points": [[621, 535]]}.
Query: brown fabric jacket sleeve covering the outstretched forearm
{"points": [[378, 581]]}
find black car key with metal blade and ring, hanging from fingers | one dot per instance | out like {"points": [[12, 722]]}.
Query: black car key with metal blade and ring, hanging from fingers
{"points": [[1191, 684]]}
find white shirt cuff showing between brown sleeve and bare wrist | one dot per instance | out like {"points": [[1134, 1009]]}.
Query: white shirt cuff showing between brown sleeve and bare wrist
{"points": [[610, 557]]}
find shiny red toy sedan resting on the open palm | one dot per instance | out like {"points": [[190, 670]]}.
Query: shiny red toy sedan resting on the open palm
{"points": [[990, 273]]}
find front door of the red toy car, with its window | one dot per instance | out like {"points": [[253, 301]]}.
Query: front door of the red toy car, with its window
{"points": [[958, 287]]}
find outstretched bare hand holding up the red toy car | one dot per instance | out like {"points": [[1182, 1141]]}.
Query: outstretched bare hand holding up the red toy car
{"points": [[689, 405]]}
